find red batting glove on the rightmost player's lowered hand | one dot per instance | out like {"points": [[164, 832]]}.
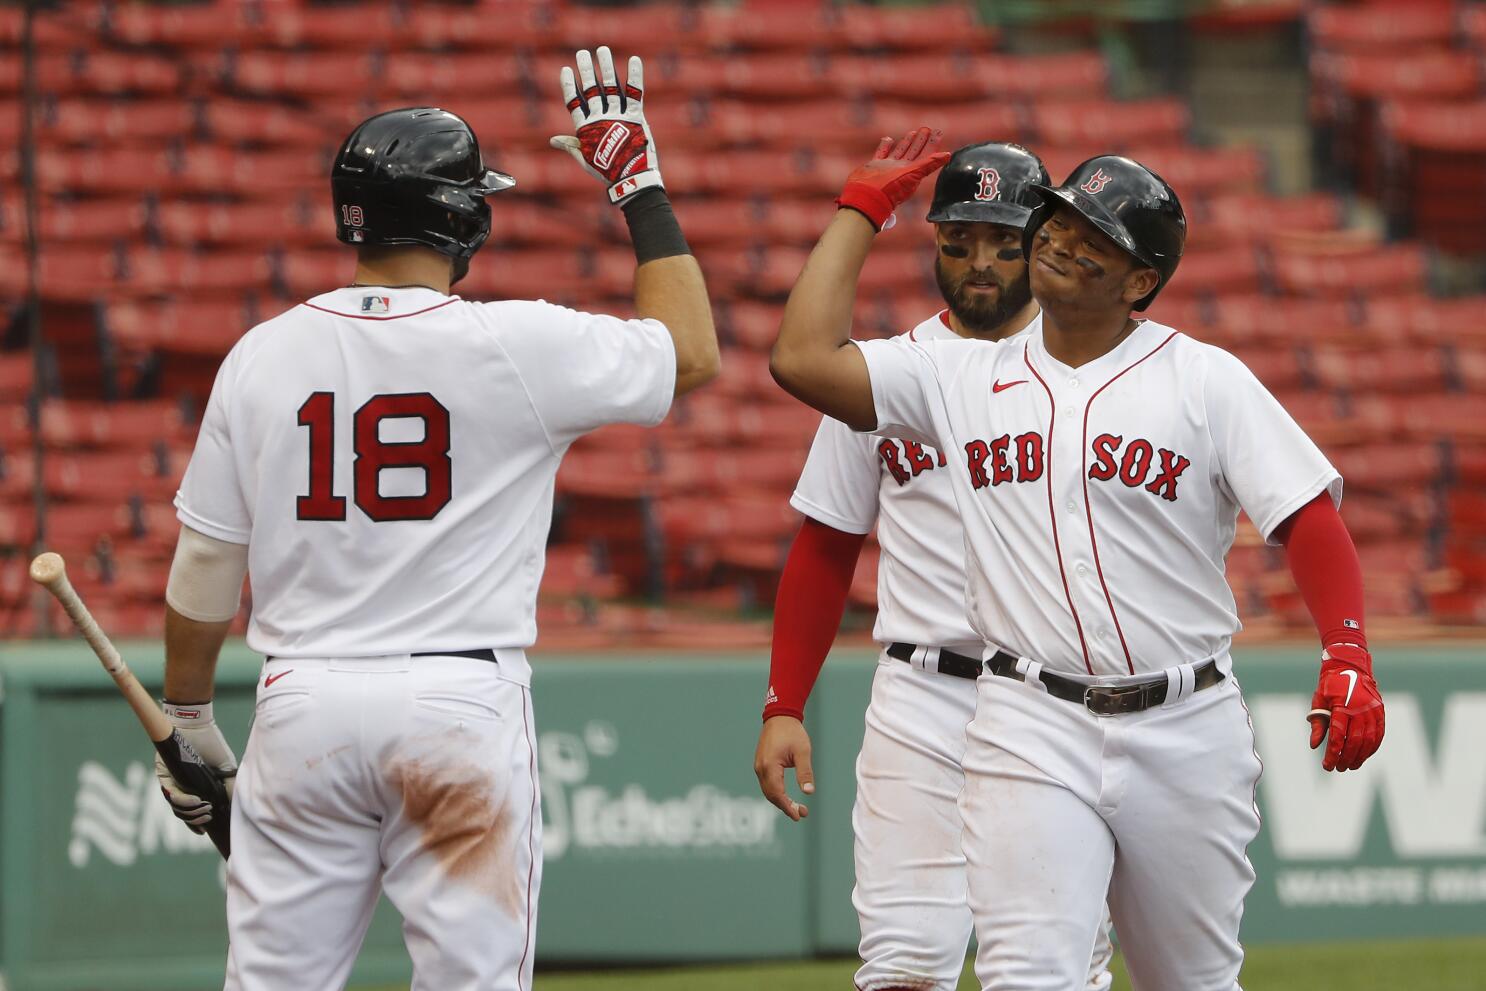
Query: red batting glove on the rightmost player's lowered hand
{"points": [[1347, 709]]}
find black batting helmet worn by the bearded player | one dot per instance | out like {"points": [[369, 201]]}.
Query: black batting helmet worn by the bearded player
{"points": [[989, 183]]}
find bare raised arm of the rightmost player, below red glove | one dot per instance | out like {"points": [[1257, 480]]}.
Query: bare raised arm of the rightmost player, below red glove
{"points": [[814, 359]]}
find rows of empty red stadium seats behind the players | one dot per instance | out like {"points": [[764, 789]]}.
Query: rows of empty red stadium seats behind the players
{"points": [[182, 157]]}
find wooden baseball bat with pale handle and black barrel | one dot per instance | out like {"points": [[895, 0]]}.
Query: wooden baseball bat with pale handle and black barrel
{"points": [[181, 758]]}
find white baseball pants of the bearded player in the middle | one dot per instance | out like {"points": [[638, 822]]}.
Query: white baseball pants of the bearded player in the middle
{"points": [[910, 871]]}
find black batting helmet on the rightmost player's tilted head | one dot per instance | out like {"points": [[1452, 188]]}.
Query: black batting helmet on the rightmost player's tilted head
{"points": [[1129, 203]]}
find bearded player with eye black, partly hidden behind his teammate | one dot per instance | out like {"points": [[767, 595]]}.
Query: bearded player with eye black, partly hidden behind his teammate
{"points": [[910, 873]]}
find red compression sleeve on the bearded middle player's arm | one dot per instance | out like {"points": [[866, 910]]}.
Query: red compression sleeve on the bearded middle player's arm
{"points": [[808, 613]]}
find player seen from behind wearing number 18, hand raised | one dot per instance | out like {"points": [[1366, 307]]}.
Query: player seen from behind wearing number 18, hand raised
{"points": [[381, 461]]}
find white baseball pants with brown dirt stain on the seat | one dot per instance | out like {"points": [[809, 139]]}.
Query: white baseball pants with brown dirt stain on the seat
{"points": [[408, 775]]}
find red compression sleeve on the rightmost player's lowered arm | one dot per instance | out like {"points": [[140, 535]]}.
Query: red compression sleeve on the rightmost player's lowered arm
{"points": [[1323, 561]]}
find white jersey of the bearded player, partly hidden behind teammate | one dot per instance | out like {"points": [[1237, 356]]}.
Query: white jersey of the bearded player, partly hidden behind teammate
{"points": [[854, 481]]}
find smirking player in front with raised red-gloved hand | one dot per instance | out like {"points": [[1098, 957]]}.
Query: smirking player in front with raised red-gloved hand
{"points": [[1100, 466]]}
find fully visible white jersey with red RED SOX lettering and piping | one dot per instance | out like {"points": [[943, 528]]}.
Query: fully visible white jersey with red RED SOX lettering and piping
{"points": [[1111, 490]]}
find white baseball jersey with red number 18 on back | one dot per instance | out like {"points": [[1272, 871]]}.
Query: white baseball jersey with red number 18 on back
{"points": [[390, 454]]}
